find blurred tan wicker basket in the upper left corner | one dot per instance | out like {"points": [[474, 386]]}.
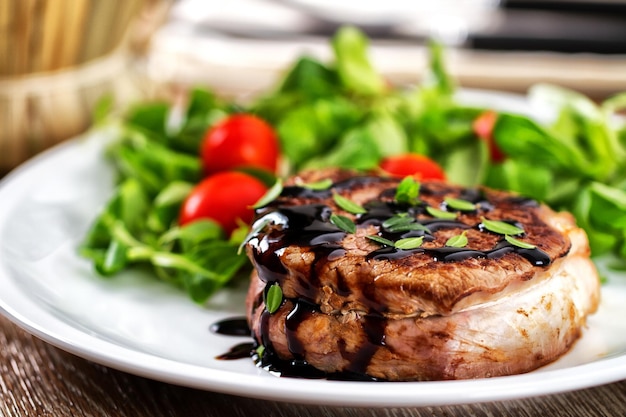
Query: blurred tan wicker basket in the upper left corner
{"points": [[58, 58]]}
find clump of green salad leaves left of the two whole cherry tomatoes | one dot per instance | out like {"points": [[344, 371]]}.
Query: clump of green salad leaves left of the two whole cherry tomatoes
{"points": [[158, 165]]}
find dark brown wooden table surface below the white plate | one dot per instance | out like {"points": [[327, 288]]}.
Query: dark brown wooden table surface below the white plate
{"points": [[37, 379]]}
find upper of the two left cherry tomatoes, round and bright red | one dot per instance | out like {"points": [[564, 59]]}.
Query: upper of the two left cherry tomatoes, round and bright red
{"points": [[239, 140]]}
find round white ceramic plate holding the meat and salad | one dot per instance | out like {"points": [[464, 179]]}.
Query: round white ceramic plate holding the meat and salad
{"points": [[142, 326]]}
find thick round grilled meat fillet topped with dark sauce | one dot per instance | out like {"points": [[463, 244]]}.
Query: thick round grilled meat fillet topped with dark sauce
{"points": [[497, 304]]}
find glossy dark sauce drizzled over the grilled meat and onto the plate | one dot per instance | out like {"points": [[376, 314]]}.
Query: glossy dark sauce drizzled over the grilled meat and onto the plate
{"points": [[308, 225]]}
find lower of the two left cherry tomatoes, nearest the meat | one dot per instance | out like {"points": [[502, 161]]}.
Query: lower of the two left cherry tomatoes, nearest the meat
{"points": [[224, 197]]}
